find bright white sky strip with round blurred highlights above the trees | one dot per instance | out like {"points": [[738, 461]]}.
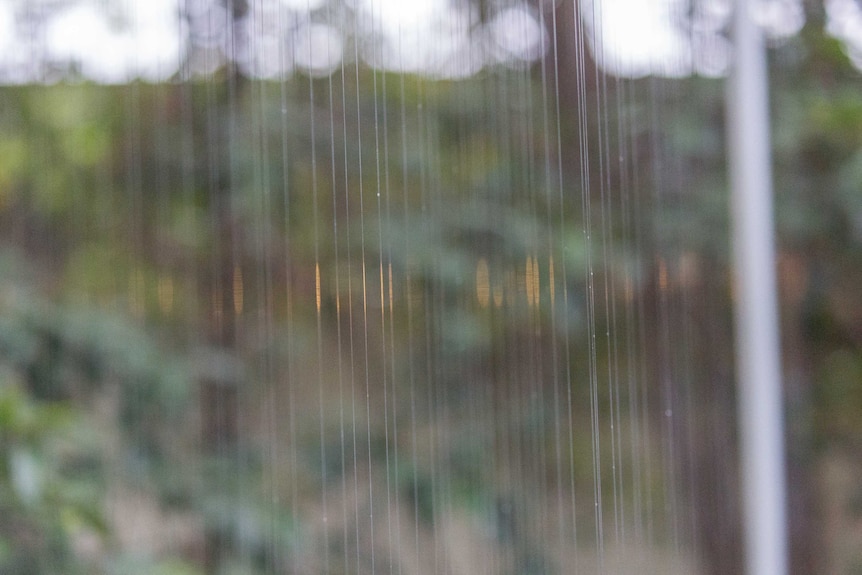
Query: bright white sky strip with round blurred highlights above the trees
{"points": [[115, 42]]}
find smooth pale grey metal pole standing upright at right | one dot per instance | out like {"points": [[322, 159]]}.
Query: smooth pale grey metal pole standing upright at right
{"points": [[756, 309]]}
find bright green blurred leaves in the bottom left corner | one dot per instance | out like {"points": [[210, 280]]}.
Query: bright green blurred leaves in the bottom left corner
{"points": [[49, 482]]}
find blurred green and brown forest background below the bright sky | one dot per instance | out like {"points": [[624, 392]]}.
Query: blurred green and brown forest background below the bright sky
{"points": [[355, 321]]}
